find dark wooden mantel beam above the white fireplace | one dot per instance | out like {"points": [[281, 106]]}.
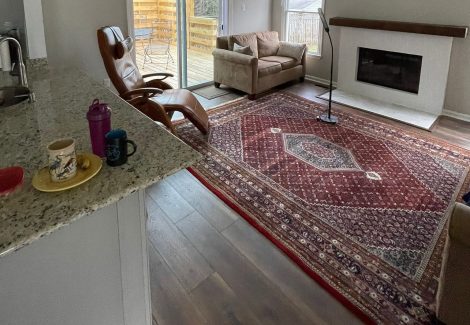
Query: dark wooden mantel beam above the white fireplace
{"points": [[406, 27]]}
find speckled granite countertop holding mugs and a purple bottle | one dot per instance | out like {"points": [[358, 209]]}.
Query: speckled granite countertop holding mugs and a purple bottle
{"points": [[62, 100]]}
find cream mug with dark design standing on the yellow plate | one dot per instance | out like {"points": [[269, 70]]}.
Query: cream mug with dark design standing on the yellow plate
{"points": [[62, 160]]}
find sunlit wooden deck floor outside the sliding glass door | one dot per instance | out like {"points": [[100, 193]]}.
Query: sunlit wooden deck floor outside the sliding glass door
{"points": [[200, 66]]}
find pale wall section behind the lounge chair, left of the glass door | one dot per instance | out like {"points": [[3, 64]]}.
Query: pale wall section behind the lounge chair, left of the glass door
{"points": [[70, 29]]}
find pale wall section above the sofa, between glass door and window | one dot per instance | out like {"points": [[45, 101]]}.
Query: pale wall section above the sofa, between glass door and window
{"points": [[249, 16]]}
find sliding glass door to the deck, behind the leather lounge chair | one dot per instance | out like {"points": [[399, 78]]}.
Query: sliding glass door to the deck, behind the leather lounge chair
{"points": [[178, 36]]}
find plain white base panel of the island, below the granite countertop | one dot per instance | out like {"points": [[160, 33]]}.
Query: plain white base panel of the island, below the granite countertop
{"points": [[93, 271]]}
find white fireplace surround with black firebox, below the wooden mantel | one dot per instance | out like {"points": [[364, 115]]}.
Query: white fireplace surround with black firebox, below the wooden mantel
{"points": [[422, 78]]}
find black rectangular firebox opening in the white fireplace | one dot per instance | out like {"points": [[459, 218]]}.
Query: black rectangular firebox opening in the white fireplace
{"points": [[390, 69]]}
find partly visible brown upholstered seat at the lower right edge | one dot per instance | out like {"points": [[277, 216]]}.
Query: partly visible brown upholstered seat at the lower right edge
{"points": [[453, 297]]}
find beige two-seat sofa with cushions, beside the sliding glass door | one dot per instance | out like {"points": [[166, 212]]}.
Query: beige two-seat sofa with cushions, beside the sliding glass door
{"points": [[259, 72]]}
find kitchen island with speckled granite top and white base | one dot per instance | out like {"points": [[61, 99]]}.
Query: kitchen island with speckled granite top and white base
{"points": [[78, 256]]}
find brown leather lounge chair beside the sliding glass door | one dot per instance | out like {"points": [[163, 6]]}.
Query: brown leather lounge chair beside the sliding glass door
{"points": [[155, 98]]}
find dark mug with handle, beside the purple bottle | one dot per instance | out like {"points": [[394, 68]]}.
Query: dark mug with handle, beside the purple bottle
{"points": [[116, 147]]}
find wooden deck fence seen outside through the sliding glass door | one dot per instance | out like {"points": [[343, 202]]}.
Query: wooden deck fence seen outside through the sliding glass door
{"points": [[201, 31]]}
